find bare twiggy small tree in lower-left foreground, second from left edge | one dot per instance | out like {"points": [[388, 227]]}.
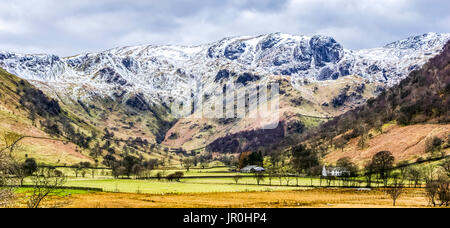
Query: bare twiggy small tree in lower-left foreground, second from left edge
{"points": [[47, 182]]}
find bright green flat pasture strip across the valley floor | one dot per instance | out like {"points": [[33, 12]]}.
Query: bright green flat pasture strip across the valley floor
{"points": [[200, 181]]}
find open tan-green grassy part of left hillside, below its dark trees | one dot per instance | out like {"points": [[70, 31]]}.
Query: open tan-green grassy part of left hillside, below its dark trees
{"points": [[16, 117]]}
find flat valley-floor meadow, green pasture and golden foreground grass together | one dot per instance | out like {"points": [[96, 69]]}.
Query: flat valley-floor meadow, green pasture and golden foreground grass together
{"points": [[211, 188]]}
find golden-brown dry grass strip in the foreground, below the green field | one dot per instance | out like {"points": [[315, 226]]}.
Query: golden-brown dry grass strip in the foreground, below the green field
{"points": [[319, 198]]}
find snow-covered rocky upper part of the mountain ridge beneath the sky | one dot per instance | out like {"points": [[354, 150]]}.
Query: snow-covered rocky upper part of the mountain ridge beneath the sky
{"points": [[160, 72]]}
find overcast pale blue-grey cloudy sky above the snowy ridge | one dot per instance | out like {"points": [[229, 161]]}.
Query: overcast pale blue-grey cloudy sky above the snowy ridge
{"points": [[77, 26]]}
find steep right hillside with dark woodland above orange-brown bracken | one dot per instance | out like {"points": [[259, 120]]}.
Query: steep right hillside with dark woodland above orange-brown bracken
{"points": [[400, 120]]}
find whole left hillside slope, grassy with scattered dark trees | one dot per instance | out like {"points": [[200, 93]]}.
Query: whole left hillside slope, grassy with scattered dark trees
{"points": [[57, 132]]}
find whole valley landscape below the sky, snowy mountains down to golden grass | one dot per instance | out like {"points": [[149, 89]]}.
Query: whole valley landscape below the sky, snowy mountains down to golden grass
{"points": [[102, 124]]}
